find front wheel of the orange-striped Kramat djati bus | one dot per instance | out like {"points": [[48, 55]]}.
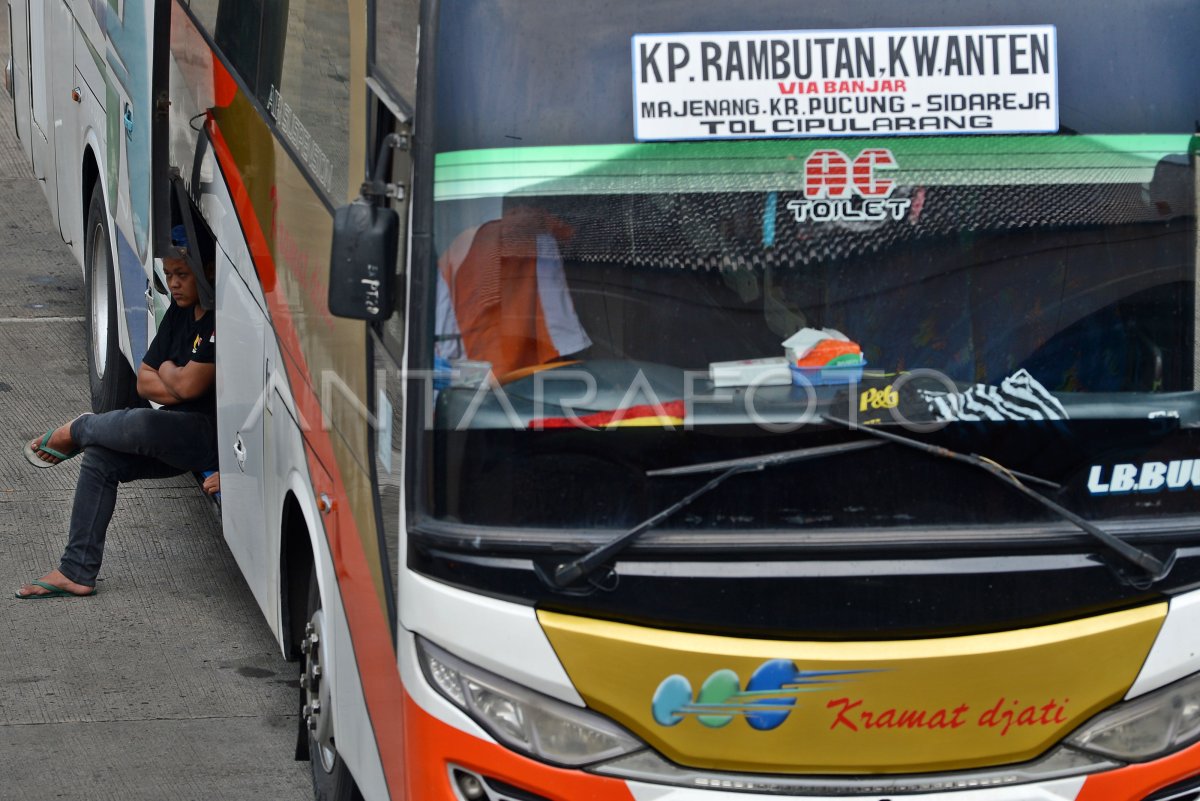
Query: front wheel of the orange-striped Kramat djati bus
{"points": [[332, 780]]}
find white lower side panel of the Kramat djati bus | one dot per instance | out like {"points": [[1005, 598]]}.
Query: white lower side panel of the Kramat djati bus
{"points": [[256, 412]]}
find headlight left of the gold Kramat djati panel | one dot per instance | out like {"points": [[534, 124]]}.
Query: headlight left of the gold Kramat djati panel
{"points": [[521, 719]]}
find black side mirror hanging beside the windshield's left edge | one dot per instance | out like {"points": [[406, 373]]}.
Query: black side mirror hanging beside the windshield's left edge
{"points": [[363, 262]]}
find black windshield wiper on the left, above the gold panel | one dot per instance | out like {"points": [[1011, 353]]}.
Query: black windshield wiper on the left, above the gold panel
{"points": [[567, 574]]}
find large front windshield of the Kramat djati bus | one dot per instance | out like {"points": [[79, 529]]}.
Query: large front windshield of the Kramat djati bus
{"points": [[632, 276]]}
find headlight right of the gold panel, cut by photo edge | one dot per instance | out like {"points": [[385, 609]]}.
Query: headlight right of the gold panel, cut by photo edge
{"points": [[1145, 728]]}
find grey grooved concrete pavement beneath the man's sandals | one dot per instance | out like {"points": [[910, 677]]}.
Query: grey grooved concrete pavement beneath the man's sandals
{"points": [[167, 684]]}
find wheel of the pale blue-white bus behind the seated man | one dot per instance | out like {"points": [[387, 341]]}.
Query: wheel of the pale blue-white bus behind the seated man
{"points": [[109, 375]]}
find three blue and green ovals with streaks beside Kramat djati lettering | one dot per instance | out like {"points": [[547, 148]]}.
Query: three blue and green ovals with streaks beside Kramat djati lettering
{"points": [[769, 698]]}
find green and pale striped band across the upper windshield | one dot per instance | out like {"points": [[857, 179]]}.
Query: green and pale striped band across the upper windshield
{"points": [[767, 166]]}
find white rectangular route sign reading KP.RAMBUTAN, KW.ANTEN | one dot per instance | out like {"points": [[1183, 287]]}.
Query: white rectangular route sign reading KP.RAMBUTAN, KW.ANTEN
{"points": [[845, 83]]}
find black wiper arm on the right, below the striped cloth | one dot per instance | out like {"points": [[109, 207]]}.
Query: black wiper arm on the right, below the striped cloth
{"points": [[1156, 569]]}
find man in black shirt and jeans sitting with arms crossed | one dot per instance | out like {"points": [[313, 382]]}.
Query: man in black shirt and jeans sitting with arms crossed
{"points": [[179, 374]]}
